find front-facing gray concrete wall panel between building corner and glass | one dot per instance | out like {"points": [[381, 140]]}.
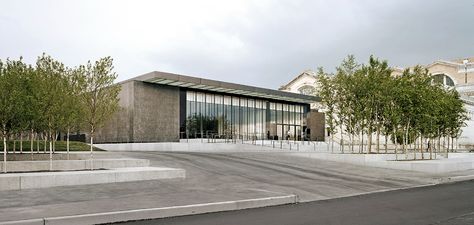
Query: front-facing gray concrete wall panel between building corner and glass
{"points": [[156, 113]]}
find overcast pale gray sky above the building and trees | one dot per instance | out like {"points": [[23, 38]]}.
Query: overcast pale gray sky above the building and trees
{"points": [[261, 43]]}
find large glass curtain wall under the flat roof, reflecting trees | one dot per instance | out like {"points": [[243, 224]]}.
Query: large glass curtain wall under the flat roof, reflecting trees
{"points": [[233, 117]]}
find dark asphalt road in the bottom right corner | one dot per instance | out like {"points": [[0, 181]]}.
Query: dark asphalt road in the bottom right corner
{"points": [[447, 204]]}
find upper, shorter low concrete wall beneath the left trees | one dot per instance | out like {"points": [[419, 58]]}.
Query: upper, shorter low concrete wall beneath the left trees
{"points": [[30, 166]]}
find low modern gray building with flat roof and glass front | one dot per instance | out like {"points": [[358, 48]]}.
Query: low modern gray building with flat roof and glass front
{"points": [[165, 107]]}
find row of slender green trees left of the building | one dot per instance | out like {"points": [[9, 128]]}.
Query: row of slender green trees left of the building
{"points": [[43, 100]]}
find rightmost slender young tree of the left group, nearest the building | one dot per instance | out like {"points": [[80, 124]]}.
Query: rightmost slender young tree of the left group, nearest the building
{"points": [[100, 95]]}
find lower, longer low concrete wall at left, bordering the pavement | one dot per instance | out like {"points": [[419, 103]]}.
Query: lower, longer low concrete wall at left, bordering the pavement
{"points": [[20, 181]]}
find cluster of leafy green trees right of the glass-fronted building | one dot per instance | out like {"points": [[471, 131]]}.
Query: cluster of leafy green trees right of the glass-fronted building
{"points": [[367, 101]]}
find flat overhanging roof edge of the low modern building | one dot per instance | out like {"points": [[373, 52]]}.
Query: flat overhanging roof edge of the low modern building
{"points": [[222, 87]]}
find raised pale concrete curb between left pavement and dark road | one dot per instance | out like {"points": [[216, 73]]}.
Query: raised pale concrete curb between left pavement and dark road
{"points": [[156, 213]]}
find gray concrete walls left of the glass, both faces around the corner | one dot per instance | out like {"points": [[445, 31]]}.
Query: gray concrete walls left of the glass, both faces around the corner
{"points": [[148, 113]]}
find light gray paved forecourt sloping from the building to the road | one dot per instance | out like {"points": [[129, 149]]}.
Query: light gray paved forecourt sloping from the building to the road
{"points": [[211, 177]]}
